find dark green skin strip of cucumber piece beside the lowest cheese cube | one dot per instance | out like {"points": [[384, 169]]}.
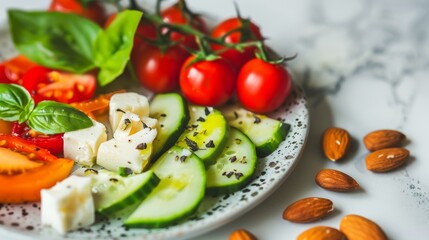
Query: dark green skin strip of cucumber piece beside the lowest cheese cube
{"points": [[136, 197]]}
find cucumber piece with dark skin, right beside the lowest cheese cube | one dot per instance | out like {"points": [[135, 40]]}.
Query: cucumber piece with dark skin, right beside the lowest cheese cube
{"points": [[112, 192]]}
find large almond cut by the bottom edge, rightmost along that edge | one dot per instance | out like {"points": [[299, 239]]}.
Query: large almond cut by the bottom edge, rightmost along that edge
{"points": [[356, 227]]}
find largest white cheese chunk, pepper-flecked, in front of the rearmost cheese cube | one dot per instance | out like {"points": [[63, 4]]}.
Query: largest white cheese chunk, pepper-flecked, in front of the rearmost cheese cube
{"points": [[132, 152]]}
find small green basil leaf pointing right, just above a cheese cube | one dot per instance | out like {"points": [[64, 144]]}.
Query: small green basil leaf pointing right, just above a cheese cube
{"points": [[51, 117]]}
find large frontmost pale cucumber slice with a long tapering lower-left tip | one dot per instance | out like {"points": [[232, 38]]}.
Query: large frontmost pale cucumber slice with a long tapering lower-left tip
{"points": [[178, 195]]}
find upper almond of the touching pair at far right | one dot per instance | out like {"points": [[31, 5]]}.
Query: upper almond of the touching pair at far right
{"points": [[384, 138]]}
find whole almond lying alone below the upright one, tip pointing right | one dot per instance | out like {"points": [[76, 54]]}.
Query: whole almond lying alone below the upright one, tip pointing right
{"points": [[335, 180]]}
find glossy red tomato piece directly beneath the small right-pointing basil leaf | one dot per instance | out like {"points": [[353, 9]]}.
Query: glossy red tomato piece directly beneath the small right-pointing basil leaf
{"points": [[54, 143]]}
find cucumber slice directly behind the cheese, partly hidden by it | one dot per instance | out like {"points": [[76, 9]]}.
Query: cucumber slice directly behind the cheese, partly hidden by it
{"points": [[172, 113]]}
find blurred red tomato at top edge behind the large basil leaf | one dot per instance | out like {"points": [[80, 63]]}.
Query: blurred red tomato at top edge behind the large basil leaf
{"points": [[95, 11]]}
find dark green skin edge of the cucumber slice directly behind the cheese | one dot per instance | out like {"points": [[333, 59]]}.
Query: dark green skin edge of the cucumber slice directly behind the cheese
{"points": [[176, 134]]}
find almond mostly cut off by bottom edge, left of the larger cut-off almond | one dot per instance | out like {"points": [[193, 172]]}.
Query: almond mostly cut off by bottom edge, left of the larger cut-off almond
{"points": [[321, 233]]}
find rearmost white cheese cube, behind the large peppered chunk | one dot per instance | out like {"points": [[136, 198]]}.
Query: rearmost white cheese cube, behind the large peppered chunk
{"points": [[121, 103]]}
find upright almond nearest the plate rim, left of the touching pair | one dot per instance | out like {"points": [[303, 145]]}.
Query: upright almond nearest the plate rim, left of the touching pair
{"points": [[335, 143]]}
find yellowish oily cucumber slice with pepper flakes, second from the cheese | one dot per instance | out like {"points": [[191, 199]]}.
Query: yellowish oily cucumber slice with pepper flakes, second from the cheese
{"points": [[206, 133]]}
